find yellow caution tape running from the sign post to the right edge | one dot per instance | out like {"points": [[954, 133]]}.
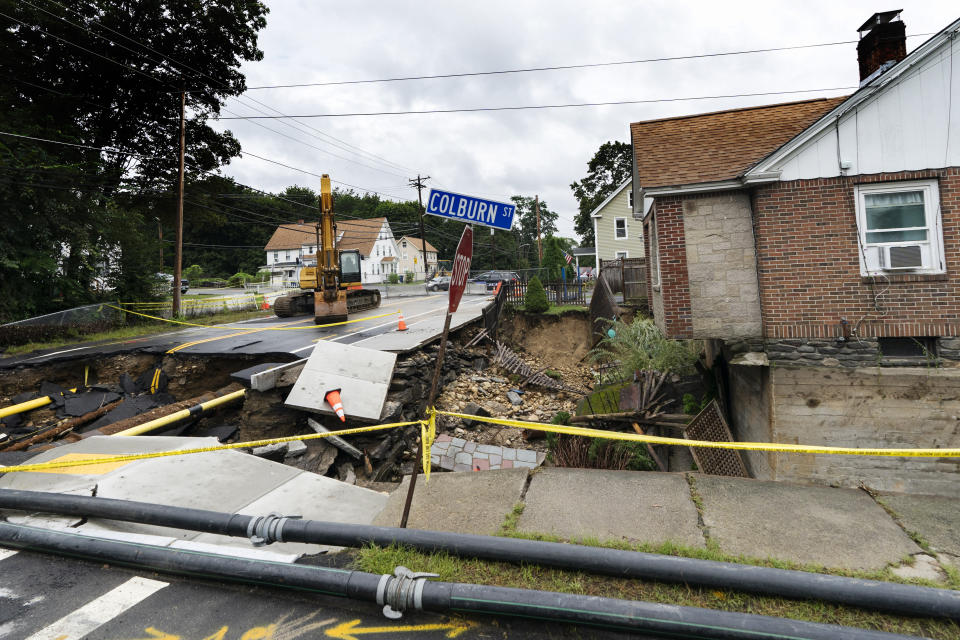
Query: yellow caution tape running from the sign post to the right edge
{"points": [[744, 446]]}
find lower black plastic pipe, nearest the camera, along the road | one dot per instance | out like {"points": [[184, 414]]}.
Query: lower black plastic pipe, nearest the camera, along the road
{"points": [[638, 617]]}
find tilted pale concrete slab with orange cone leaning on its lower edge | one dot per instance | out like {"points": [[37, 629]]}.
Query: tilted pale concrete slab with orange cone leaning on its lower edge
{"points": [[363, 376]]}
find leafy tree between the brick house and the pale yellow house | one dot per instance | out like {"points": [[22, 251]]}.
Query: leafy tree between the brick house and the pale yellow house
{"points": [[610, 167]]}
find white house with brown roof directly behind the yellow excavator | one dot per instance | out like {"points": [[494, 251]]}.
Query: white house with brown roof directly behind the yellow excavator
{"points": [[291, 244]]}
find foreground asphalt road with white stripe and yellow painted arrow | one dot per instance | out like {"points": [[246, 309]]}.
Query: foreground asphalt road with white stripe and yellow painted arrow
{"points": [[46, 597]]}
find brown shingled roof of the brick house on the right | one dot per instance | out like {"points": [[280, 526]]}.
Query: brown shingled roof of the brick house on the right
{"points": [[717, 146]]}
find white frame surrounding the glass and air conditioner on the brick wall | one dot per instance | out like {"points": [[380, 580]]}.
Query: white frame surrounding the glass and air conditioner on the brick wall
{"points": [[932, 246]]}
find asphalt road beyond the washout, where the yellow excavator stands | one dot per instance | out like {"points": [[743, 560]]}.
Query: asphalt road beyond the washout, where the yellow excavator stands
{"points": [[257, 337]]}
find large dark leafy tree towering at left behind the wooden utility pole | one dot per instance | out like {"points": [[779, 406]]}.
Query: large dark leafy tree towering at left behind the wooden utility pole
{"points": [[70, 76]]}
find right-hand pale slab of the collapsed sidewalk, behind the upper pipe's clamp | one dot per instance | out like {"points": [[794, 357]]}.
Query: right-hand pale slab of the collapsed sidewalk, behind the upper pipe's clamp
{"points": [[315, 498]]}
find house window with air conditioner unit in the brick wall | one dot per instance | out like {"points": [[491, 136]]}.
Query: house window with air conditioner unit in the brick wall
{"points": [[899, 228]]}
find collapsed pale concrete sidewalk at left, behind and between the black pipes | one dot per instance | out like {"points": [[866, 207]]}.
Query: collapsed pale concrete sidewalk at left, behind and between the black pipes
{"points": [[225, 481]]}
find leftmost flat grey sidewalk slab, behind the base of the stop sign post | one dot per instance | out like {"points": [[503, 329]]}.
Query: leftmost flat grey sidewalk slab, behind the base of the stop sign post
{"points": [[459, 502]]}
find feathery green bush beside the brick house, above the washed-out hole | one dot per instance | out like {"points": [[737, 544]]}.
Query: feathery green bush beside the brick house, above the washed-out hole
{"points": [[640, 345]]}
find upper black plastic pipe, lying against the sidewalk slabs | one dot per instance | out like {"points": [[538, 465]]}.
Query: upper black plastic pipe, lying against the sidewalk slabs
{"points": [[869, 594]]}
